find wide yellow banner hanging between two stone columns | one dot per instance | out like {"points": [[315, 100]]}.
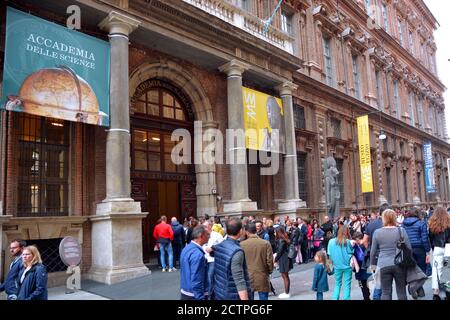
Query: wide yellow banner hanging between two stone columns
{"points": [[263, 122]]}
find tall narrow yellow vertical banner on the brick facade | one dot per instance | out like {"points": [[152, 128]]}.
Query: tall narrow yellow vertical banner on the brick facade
{"points": [[365, 160]]}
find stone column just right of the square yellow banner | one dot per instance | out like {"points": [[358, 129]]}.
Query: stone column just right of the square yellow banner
{"points": [[291, 197]]}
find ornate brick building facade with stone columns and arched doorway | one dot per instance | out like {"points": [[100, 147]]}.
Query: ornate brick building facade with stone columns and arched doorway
{"points": [[329, 61]]}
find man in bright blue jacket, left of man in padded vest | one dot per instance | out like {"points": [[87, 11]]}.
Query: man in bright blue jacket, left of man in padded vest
{"points": [[193, 264]]}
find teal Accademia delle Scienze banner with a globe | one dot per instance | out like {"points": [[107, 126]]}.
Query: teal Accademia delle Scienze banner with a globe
{"points": [[53, 71]]}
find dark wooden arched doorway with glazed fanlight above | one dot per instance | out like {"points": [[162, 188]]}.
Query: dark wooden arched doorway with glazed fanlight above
{"points": [[162, 187]]}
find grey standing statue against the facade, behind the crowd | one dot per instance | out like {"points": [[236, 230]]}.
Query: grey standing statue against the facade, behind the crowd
{"points": [[332, 193]]}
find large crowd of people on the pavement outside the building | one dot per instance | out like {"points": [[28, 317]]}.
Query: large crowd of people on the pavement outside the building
{"points": [[234, 258]]}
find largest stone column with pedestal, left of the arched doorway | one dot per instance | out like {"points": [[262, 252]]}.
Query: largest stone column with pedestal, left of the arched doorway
{"points": [[117, 225]]}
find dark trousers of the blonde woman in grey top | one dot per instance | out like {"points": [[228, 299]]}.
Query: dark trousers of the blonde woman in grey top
{"points": [[387, 275]]}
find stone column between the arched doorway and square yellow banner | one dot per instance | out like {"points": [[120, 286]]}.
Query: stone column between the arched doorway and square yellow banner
{"points": [[239, 182]]}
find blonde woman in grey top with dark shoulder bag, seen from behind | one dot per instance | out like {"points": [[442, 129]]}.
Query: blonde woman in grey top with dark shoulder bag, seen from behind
{"points": [[384, 244]]}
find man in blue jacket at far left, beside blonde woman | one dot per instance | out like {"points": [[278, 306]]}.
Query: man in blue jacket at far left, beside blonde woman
{"points": [[11, 283]]}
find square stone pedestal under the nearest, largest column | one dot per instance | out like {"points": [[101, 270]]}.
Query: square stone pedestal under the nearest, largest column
{"points": [[117, 242]]}
